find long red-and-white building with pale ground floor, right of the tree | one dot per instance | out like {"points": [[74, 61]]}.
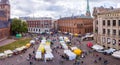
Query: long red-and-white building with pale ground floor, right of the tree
{"points": [[39, 24]]}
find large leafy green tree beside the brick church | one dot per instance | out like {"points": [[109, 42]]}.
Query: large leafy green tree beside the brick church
{"points": [[18, 26]]}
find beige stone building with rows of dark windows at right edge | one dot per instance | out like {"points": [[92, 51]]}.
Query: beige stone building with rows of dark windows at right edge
{"points": [[107, 27]]}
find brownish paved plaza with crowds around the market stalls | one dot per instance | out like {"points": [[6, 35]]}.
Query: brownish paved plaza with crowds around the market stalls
{"points": [[89, 58]]}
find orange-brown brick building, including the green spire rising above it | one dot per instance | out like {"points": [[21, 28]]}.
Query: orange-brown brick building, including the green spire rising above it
{"points": [[77, 24]]}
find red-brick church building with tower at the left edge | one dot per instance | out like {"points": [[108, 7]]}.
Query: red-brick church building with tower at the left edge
{"points": [[4, 19]]}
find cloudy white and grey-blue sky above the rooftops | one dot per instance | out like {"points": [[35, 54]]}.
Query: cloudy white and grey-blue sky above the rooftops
{"points": [[56, 8]]}
